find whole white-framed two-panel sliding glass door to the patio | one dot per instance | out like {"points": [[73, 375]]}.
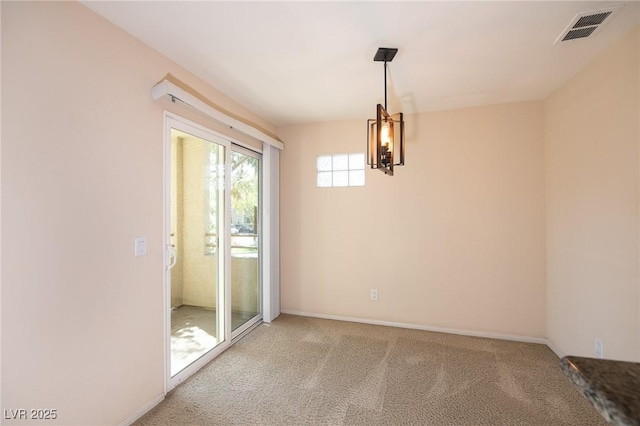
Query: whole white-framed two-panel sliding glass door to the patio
{"points": [[212, 238]]}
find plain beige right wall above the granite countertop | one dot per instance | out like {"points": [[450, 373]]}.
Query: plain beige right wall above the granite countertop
{"points": [[592, 141]]}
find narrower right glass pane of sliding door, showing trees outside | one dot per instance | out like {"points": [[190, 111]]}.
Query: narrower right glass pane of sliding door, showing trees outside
{"points": [[245, 241]]}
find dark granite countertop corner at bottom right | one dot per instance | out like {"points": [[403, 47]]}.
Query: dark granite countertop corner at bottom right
{"points": [[613, 387]]}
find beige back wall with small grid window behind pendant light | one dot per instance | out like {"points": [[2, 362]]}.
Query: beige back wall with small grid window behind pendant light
{"points": [[455, 239]]}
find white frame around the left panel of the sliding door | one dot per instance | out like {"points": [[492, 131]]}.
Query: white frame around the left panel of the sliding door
{"points": [[180, 123]]}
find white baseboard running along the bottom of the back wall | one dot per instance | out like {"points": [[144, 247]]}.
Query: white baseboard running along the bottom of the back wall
{"points": [[489, 335]]}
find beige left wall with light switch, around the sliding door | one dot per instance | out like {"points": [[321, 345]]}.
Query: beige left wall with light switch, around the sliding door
{"points": [[82, 326]]}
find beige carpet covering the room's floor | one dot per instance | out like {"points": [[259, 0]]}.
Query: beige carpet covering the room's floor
{"points": [[305, 371]]}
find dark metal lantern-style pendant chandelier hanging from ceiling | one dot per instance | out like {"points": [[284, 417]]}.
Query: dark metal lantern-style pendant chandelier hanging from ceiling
{"points": [[385, 133]]}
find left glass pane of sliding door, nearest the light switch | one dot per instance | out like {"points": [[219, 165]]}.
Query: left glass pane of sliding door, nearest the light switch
{"points": [[196, 221]]}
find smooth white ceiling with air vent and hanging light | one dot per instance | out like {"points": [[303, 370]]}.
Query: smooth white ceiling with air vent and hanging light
{"points": [[300, 62]]}
